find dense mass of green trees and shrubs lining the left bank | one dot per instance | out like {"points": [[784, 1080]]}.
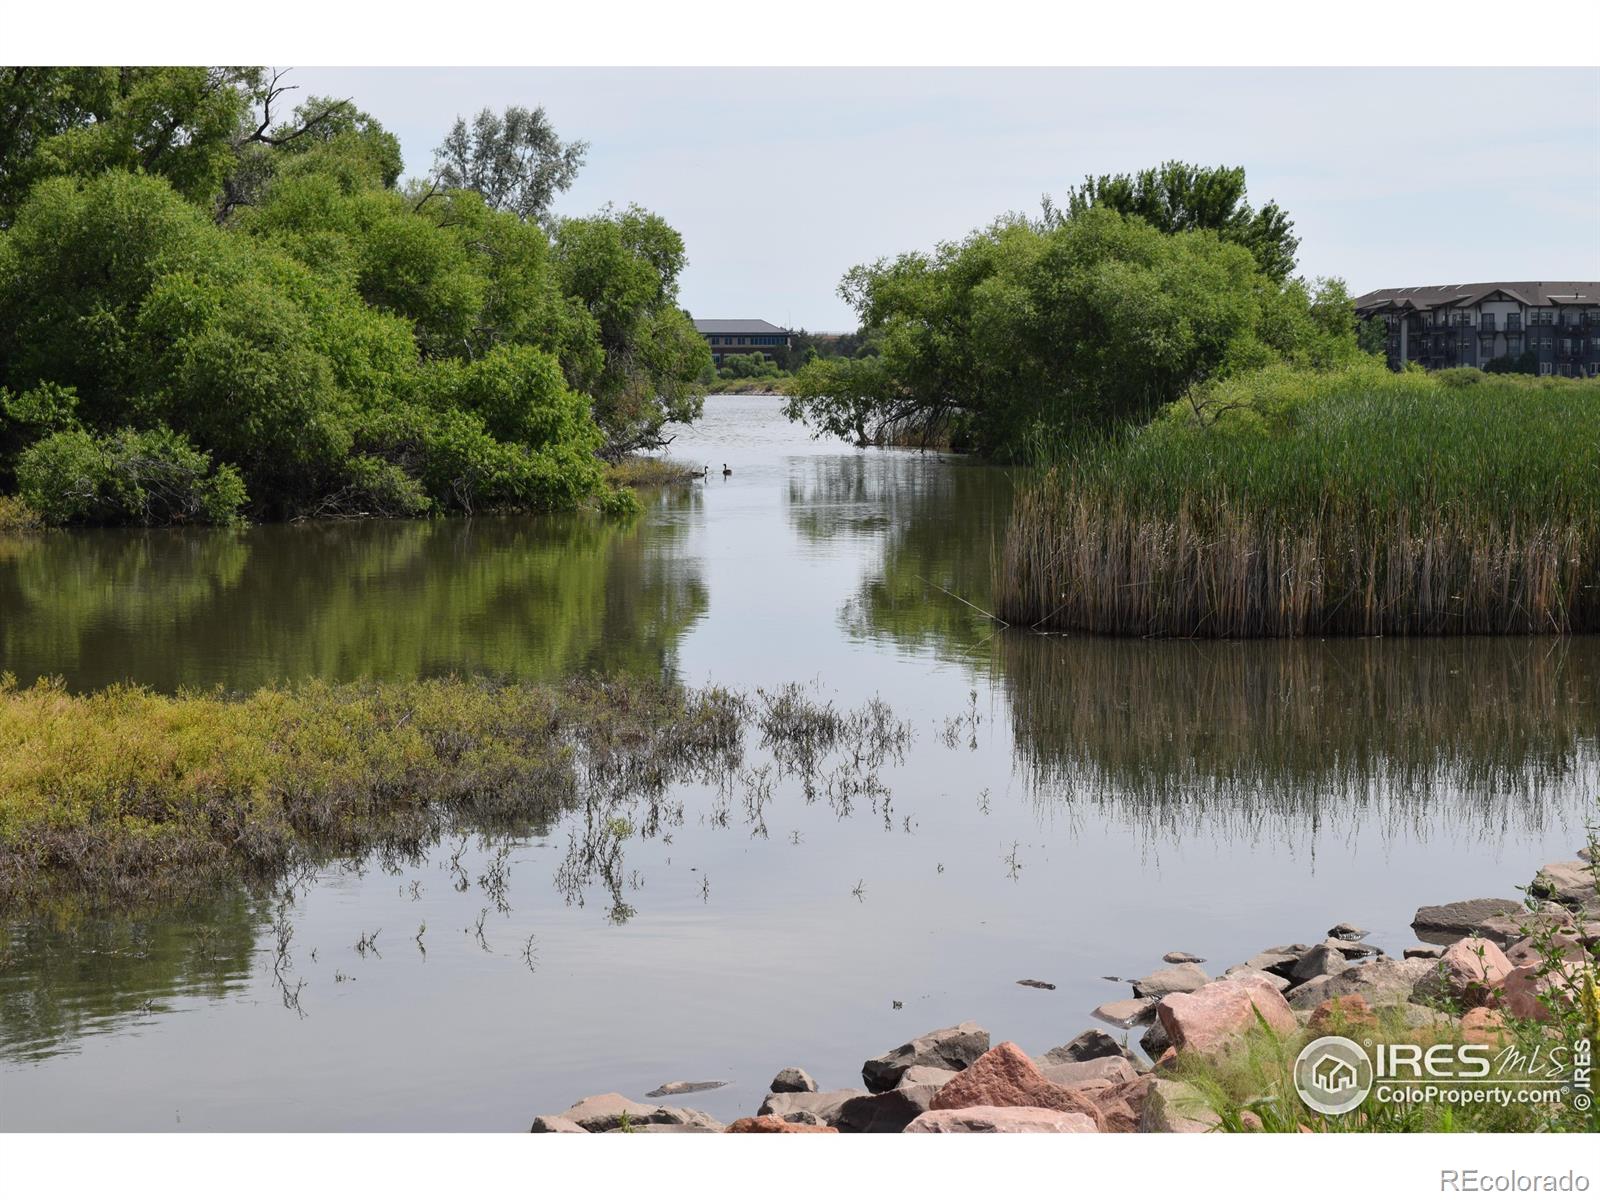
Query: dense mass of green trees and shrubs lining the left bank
{"points": [[212, 308]]}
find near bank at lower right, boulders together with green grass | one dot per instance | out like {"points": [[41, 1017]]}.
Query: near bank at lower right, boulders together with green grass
{"points": [[1487, 977]]}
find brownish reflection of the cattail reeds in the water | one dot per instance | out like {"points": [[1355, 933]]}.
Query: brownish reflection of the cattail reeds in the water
{"points": [[1281, 740]]}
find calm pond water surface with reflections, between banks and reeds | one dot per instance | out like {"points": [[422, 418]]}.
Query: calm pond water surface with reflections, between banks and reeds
{"points": [[1068, 809]]}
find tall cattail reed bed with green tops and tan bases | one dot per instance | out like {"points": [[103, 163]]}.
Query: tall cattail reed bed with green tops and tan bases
{"points": [[1354, 503]]}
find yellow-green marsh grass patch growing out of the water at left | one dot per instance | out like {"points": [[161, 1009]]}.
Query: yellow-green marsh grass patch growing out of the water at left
{"points": [[127, 791]]}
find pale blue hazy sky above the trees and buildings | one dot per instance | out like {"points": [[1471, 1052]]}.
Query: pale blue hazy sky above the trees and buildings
{"points": [[782, 180]]}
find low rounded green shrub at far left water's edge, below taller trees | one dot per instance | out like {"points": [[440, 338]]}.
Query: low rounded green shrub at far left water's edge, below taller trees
{"points": [[140, 478]]}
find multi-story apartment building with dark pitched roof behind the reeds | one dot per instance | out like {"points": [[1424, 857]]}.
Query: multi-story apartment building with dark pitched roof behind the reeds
{"points": [[1545, 327]]}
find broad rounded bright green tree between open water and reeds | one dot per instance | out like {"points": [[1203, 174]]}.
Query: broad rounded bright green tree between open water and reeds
{"points": [[1026, 332]]}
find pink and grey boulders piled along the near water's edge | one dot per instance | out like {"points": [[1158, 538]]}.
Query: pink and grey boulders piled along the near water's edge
{"points": [[1476, 964]]}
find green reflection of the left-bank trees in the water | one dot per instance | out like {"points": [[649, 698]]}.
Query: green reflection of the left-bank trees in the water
{"points": [[526, 598]]}
